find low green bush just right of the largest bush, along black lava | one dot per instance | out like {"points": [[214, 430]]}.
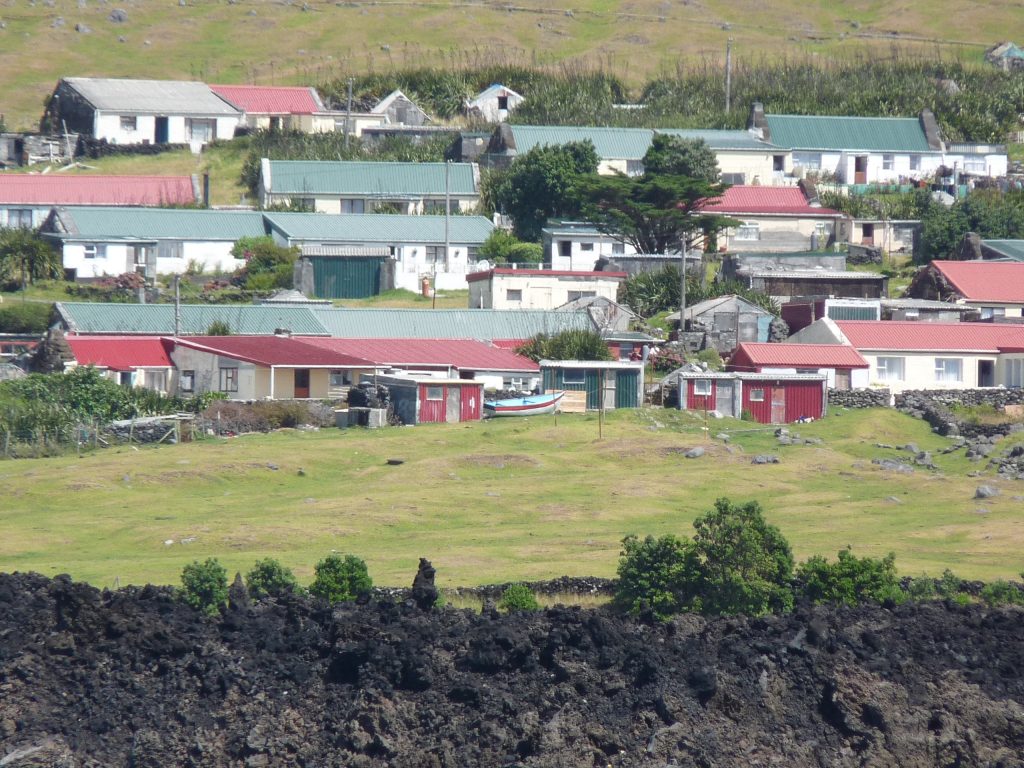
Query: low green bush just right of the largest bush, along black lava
{"points": [[851, 580]]}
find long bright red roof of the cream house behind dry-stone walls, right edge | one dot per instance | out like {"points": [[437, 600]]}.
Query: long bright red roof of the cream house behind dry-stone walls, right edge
{"points": [[913, 336]]}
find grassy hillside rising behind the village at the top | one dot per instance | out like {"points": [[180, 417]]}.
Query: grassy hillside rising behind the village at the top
{"points": [[319, 41]]}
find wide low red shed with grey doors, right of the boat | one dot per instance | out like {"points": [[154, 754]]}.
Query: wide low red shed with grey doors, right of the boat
{"points": [[770, 399]]}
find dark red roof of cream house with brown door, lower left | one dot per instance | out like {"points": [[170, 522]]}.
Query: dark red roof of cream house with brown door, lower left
{"points": [[274, 351]]}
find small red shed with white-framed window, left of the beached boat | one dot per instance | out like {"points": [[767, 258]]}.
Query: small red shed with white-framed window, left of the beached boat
{"points": [[429, 400]]}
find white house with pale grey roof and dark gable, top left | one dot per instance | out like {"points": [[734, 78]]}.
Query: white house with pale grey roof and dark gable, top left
{"points": [[142, 112]]}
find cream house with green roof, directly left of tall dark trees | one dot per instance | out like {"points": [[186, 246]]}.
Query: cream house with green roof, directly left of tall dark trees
{"points": [[329, 187]]}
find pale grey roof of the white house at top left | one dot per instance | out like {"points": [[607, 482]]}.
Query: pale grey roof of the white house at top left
{"points": [[158, 97]]}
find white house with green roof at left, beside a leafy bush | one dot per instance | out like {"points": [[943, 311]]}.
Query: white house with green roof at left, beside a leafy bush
{"points": [[98, 242]]}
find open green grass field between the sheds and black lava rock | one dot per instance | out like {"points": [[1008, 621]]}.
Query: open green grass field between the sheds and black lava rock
{"points": [[496, 501]]}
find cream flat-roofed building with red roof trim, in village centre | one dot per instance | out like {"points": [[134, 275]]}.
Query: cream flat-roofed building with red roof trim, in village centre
{"points": [[507, 288]]}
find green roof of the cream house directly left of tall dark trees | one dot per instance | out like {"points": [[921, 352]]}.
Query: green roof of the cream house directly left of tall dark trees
{"points": [[370, 180]]}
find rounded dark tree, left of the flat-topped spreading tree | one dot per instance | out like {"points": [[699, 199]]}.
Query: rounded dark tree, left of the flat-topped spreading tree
{"points": [[536, 187]]}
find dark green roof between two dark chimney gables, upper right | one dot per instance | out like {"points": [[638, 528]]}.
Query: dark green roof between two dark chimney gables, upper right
{"points": [[838, 134]]}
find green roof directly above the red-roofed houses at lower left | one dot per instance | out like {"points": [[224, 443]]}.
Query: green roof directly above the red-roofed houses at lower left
{"points": [[87, 318]]}
